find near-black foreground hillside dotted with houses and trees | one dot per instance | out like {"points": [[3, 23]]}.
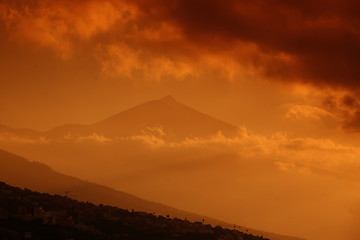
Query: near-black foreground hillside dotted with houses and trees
{"points": [[25, 214]]}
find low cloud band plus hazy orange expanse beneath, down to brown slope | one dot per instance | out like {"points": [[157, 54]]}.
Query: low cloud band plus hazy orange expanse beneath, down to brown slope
{"points": [[236, 179]]}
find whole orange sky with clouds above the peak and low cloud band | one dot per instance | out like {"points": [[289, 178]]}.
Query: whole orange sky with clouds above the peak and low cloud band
{"points": [[81, 61]]}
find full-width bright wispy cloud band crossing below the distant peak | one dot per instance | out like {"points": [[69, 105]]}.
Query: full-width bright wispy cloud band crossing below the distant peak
{"points": [[304, 155]]}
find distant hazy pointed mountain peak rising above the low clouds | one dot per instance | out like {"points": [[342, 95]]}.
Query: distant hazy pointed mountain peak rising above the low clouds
{"points": [[165, 117]]}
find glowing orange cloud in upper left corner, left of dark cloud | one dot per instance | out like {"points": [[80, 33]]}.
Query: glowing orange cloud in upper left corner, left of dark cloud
{"points": [[61, 26]]}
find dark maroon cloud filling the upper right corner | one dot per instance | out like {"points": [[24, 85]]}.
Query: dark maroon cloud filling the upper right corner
{"points": [[323, 36]]}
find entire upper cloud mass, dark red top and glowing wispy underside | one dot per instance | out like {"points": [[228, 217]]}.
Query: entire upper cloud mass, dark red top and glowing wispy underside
{"points": [[202, 41]]}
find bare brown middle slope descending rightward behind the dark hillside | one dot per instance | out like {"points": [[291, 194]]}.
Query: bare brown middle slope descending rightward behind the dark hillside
{"points": [[19, 172]]}
